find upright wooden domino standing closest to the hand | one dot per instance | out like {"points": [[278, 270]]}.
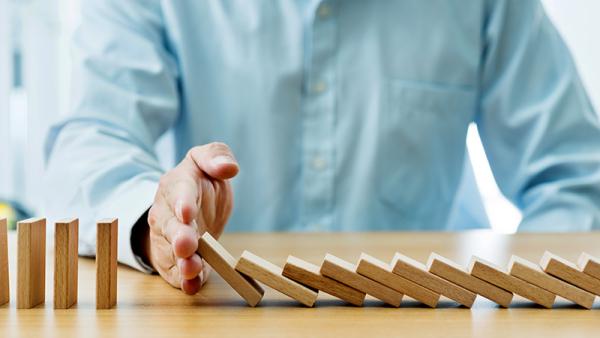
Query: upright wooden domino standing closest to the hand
{"points": [[106, 263]]}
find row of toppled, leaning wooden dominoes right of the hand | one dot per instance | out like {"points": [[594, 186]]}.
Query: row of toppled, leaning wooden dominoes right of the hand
{"points": [[302, 281]]}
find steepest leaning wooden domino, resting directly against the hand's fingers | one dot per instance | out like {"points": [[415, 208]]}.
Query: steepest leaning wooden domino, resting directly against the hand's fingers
{"points": [[224, 264]]}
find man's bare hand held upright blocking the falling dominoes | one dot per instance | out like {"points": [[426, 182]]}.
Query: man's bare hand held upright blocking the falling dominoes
{"points": [[192, 198]]}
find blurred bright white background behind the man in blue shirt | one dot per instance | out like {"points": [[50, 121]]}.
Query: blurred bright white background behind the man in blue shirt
{"points": [[35, 85]]}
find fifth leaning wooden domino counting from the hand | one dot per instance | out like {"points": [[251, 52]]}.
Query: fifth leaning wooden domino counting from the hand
{"points": [[381, 272]]}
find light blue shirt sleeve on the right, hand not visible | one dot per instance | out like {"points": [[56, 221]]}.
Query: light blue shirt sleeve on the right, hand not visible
{"points": [[538, 127]]}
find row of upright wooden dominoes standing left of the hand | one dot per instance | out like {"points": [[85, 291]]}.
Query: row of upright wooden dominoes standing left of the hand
{"points": [[31, 263]]}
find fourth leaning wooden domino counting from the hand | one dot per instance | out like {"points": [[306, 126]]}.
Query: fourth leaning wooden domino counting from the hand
{"points": [[345, 272]]}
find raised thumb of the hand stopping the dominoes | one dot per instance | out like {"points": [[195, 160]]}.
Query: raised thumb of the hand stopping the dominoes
{"points": [[215, 159]]}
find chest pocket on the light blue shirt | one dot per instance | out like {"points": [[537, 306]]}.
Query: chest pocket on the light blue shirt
{"points": [[421, 147]]}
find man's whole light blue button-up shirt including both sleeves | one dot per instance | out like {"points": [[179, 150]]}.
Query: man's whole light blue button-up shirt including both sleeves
{"points": [[343, 115]]}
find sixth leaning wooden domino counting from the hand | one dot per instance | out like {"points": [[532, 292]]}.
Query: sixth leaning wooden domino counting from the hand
{"points": [[415, 271]]}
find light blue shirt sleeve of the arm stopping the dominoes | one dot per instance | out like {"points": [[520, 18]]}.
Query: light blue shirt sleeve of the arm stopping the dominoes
{"points": [[100, 159]]}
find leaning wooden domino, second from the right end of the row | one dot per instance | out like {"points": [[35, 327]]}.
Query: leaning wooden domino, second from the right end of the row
{"points": [[567, 271]]}
